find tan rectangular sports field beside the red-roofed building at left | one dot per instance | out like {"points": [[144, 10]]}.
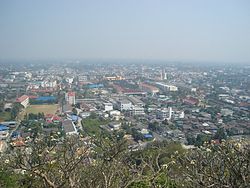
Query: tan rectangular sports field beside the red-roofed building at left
{"points": [[46, 109]]}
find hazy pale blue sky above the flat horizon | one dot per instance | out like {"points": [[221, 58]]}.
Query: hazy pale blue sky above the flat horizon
{"points": [[185, 30]]}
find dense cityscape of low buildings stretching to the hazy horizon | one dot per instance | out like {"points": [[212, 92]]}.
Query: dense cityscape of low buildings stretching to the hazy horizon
{"points": [[140, 102]]}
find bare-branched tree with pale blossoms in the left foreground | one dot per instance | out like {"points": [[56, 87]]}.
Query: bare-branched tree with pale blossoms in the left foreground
{"points": [[52, 164]]}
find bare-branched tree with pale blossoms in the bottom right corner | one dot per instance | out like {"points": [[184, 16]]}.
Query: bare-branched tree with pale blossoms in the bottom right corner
{"points": [[224, 165]]}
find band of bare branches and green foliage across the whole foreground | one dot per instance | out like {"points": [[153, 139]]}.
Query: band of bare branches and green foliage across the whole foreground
{"points": [[106, 162]]}
